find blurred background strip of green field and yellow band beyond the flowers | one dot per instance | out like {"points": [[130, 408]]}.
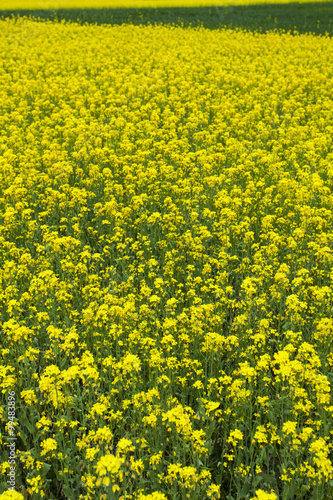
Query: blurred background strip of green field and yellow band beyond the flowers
{"points": [[303, 17]]}
